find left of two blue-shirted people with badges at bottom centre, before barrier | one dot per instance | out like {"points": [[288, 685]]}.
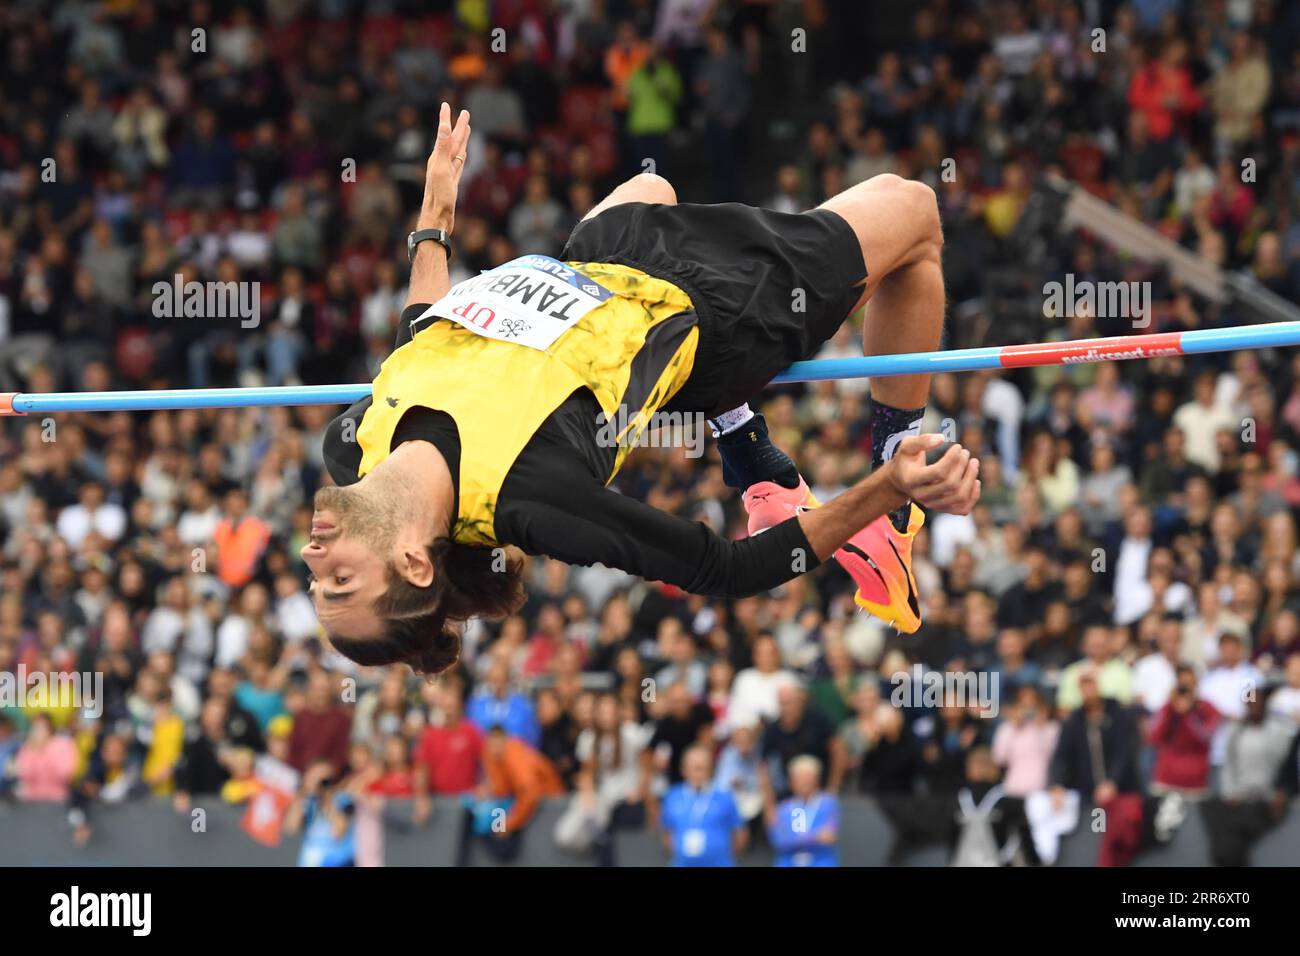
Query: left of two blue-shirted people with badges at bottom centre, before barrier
{"points": [[701, 824]]}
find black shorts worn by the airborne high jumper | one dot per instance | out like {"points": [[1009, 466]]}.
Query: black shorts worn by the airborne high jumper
{"points": [[769, 288]]}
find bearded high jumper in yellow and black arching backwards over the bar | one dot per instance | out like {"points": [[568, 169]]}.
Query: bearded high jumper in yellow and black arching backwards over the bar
{"points": [[484, 429]]}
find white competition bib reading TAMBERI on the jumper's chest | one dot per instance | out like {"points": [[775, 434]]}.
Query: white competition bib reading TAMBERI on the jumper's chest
{"points": [[530, 301]]}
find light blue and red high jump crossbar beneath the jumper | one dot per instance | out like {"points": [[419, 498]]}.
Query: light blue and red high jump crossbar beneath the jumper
{"points": [[1080, 352]]}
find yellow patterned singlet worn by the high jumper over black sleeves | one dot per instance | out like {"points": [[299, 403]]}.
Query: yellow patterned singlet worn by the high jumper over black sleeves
{"points": [[500, 393]]}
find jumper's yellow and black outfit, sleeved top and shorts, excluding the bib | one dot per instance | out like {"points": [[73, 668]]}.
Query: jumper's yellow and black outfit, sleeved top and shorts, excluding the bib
{"points": [[522, 429]]}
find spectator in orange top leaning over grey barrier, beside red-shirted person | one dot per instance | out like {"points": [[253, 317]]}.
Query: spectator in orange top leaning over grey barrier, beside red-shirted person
{"points": [[515, 780]]}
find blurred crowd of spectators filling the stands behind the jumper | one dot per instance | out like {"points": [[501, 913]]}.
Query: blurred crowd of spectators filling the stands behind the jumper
{"points": [[1132, 578]]}
